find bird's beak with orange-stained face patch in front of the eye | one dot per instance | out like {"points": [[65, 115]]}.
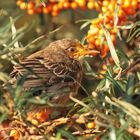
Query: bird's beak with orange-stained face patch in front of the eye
{"points": [[83, 51]]}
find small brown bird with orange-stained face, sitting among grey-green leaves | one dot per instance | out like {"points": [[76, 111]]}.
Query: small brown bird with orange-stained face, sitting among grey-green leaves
{"points": [[57, 70]]}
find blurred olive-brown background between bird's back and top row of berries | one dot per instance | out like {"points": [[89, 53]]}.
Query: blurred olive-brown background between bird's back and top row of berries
{"points": [[66, 21]]}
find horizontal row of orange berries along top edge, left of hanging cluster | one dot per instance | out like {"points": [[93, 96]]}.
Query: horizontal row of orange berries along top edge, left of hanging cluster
{"points": [[54, 7]]}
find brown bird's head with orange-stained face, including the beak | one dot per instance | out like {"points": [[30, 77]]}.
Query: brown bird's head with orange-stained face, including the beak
{"points": [[74, 48]]}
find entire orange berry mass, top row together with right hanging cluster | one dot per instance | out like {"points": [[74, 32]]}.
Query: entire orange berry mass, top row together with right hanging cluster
{"points": [[111, 12]]}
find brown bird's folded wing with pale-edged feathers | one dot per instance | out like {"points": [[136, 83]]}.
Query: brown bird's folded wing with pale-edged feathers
{"points": [[40, 72]]}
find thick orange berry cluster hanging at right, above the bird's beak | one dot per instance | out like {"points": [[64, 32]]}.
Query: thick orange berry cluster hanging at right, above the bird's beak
{"points": [[111, 11]]}
